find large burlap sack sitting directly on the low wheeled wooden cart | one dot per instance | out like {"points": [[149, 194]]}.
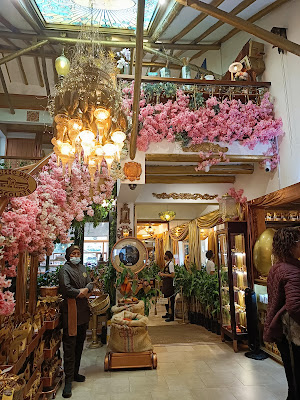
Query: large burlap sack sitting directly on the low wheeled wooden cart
{"points": [[129, 335]]}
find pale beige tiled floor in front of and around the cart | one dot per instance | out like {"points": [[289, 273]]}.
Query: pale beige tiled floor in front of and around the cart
{"points": [[185, 372]]}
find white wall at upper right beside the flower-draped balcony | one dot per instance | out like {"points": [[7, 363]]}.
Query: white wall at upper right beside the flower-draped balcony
{"points": [[283, 73]]}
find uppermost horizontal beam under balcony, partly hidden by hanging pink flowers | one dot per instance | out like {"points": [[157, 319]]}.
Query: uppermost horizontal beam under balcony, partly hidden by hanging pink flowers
{"points": [[195, 158]]}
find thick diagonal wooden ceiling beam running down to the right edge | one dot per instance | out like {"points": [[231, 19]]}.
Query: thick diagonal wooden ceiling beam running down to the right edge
{"points": [[244, 25]]}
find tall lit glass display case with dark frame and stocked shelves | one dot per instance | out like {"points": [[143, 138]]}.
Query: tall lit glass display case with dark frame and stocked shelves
{"points": [[234, 278]]}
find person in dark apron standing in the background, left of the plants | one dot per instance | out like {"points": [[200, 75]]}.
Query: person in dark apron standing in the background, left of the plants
{"points": [[168, 276]]}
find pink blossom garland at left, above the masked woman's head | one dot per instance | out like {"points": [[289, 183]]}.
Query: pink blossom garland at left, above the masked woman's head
{"points": [[32, 223]]}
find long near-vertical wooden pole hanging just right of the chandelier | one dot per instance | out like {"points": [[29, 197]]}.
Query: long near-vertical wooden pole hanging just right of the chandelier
{"points": [[137, 77]]}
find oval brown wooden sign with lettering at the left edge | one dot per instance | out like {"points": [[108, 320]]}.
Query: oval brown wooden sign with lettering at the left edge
{"points": [[14, 183]]}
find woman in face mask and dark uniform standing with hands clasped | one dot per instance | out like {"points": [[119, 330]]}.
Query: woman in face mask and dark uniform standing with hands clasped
{"points": [[75, 286]]}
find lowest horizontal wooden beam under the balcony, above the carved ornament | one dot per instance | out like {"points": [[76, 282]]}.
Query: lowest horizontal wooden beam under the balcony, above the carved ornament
{"points": [[189, 179]]}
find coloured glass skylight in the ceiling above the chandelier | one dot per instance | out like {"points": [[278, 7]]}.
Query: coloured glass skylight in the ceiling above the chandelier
{"points": [[106, 13]]}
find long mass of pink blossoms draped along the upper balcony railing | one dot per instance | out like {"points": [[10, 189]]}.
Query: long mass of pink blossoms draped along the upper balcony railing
{"points": [[222, 121]]}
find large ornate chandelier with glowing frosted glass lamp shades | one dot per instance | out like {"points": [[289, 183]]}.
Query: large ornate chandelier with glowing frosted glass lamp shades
{"points": [[88, 120]]}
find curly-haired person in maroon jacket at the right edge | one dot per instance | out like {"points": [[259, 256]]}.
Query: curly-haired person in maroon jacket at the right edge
{"points": [[282, 324]]}
